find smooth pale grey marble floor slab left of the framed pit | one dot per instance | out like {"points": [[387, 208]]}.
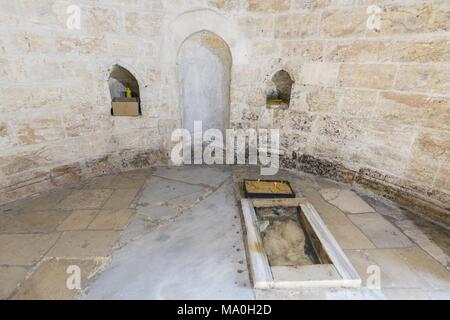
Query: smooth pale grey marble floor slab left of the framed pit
{"points": [[204, 231]]}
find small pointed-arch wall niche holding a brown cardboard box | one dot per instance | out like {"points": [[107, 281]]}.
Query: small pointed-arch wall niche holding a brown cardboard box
{"points": [[125, 94]]}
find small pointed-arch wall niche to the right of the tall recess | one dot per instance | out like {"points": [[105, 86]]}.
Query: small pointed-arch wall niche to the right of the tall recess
{"points": [[280, 89]]}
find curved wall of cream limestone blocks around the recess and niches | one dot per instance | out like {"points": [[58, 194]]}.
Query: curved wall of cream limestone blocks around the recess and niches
{"points": [[373, 101]]}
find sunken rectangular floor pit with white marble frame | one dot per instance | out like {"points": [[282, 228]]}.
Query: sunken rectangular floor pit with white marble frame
{"points": [[289, 246]]}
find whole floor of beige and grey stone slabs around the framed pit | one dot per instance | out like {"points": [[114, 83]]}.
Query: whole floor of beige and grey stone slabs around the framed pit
{"points": [[175, 233]]}
